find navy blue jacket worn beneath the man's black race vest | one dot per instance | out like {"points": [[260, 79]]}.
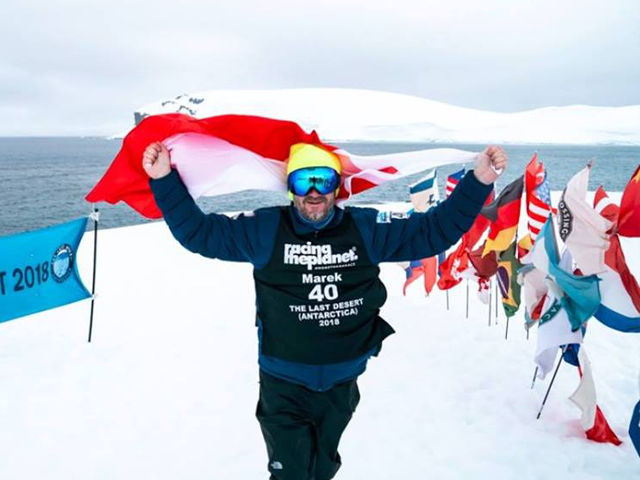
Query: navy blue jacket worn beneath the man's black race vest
{"points": [[251, 238]]}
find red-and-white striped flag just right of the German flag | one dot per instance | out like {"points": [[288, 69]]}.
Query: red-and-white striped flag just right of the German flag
{"points": [[538, 196]]}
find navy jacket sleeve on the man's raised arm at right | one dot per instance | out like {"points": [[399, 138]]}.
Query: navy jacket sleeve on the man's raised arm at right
{"points": [[426, 234]]}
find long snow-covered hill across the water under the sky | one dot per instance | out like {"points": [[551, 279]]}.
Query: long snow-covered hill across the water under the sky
{"points": [[362, 115]]}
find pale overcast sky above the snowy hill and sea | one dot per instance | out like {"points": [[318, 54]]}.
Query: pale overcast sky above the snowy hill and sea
{"points": [[70, 68]]}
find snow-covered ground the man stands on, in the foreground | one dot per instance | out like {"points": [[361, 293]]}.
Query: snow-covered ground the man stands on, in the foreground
{"points": [[168, 387]]}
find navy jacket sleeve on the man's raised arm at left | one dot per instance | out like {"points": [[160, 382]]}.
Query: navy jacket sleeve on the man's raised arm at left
{"points": [[244, 238]]}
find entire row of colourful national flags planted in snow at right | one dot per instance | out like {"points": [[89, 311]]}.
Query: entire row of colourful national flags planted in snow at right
{"points": [[561, 291]]}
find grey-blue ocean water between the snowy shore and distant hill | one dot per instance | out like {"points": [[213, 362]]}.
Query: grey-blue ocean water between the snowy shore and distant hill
{"points": [[43, 181]]}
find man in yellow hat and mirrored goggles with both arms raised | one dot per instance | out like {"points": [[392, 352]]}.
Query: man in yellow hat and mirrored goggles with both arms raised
{"points": [[318, 293]]}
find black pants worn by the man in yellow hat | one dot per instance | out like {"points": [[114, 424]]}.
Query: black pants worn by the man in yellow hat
{"points": [[302, 428]]}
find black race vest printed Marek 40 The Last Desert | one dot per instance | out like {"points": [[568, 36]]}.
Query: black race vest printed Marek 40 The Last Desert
{"points": [[319, 296]]}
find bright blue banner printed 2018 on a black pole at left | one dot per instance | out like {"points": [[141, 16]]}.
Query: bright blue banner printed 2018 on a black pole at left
{"points": [[38, 270]]}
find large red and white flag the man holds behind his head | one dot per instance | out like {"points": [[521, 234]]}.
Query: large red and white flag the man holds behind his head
{"points": [[231, 153]]}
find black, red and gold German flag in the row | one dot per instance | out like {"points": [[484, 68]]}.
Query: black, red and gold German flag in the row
{"points": [[504, 214]]}
